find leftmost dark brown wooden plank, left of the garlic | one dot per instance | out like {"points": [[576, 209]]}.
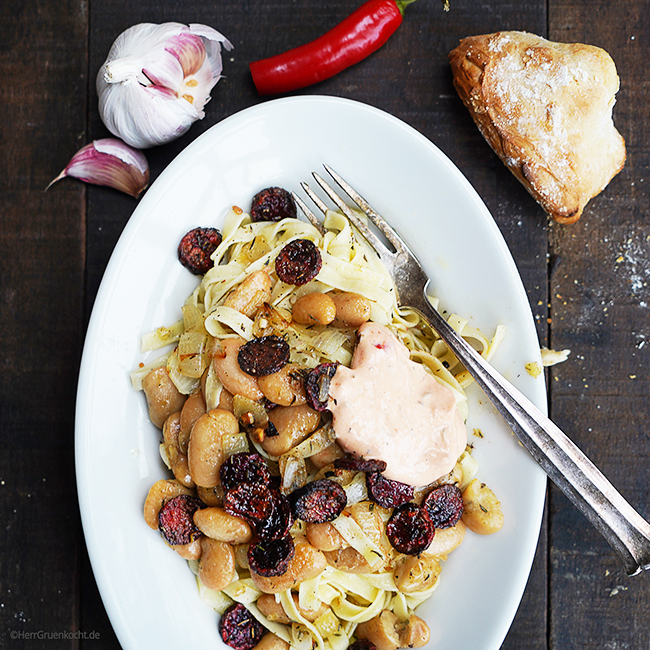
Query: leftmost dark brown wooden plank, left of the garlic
{"points": [[42, 123]]}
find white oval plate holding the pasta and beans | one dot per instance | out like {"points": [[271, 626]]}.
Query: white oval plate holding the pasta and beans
{"points": [[149, 592]]}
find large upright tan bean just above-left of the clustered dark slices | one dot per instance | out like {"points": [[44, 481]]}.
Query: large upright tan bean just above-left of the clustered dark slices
{"points": [[204, 451]]}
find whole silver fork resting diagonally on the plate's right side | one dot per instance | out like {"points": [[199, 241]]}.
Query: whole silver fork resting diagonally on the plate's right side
{"points": [[625, 530]]}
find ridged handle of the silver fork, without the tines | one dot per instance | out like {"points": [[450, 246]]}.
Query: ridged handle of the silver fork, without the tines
{"points": [[625, 530]]}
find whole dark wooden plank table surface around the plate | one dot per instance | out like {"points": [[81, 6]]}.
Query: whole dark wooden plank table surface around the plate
{"points": [[587, 283]]}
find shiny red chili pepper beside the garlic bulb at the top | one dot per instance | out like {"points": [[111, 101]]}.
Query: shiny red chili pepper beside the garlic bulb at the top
{"points": [[359, 35]]}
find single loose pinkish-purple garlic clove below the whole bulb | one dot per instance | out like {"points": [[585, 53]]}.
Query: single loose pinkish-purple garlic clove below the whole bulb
{"points": [[109, 162]]}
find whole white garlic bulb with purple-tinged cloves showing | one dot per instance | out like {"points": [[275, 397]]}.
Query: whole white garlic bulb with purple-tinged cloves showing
{"points": [[157, 79]]}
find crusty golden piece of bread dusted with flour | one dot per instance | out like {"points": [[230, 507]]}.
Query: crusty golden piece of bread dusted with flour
{"points": [[546, 110]]}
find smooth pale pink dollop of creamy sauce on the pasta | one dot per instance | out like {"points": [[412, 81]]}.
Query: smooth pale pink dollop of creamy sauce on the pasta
{"points": [[387, 407]]}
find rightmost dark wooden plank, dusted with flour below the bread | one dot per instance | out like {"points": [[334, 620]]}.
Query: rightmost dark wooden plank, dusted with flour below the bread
{"points": [[599, 308]]}
